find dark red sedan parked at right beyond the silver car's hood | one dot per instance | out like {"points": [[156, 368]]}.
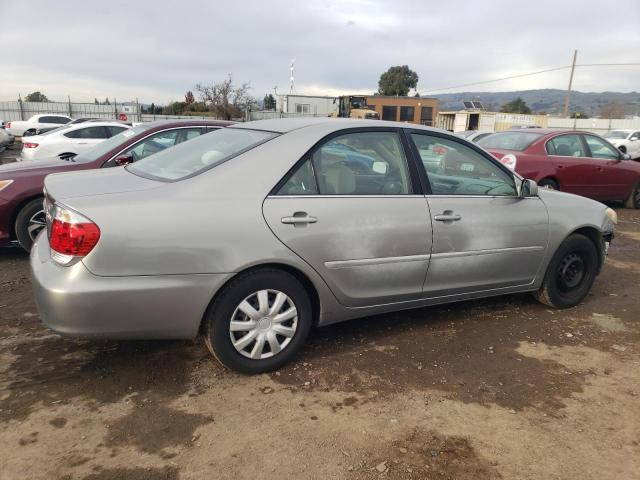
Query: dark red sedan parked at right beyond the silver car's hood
{"points": [[572, 161]]}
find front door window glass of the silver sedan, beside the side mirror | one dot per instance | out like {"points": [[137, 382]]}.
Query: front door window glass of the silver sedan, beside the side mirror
{"points": [[455, 169]]}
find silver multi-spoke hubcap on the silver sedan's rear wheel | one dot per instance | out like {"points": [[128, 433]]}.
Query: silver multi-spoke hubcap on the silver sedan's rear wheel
{"points": [[263, 324]]}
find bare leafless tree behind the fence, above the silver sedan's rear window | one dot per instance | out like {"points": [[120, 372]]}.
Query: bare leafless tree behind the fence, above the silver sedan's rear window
{"points": [[225, 99]]}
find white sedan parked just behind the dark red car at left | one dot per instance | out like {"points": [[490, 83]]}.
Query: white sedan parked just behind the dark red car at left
{"points": [[67, 142]]}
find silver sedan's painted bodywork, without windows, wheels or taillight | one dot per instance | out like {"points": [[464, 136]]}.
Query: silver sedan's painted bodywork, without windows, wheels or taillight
{"points": [[167, 248]]}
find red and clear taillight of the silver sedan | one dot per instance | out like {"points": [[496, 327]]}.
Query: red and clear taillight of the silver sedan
{"points": [[71, 235]]}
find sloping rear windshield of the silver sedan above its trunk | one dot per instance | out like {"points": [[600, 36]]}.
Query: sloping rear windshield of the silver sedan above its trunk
{"points": [[200, 154]]}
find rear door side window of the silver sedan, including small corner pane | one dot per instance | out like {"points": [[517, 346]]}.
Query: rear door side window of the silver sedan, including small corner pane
{"points": [[362, 163]]}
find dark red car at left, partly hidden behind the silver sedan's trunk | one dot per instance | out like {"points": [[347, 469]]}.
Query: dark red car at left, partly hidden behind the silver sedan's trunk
{"points": [[21, 183]]}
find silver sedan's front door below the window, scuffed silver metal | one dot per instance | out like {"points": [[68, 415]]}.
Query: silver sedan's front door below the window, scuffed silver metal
{"points": [[497, 242]]}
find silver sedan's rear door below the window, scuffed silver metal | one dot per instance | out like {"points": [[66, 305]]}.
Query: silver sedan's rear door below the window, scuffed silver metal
{"points": [[369, 250]]}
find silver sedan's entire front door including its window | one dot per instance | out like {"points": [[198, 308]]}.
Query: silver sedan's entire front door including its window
{"points": [[484, 235]]}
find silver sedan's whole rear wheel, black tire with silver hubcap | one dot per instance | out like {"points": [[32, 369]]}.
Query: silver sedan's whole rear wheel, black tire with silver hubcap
{"points": [[259, 321]]}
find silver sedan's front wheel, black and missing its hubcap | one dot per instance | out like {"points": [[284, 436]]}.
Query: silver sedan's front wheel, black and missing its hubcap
{"points": [[570, 274]]}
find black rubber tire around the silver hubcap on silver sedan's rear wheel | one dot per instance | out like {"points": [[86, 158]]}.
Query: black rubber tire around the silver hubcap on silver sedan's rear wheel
{"points": [[217, 333]]}
